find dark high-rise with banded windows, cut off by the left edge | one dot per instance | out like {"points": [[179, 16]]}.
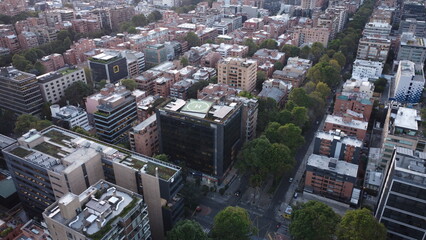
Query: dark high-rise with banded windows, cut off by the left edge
{"points": [[19, 91]]}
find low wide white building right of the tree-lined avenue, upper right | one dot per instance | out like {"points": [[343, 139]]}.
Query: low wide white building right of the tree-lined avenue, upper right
{"points": [[367, 69]]}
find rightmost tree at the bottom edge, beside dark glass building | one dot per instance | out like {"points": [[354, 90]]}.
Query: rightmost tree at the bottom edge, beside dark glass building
{"points": [[360, 224]]}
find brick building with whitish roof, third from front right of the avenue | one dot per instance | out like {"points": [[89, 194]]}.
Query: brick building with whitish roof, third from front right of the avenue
{"points": [[348, 125]]}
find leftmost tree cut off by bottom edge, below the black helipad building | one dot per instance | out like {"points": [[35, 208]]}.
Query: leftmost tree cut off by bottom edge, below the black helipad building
{"points": [[188, 230]]}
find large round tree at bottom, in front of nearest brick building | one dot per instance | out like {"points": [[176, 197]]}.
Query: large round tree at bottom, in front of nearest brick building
{"points": [[313, 221]]}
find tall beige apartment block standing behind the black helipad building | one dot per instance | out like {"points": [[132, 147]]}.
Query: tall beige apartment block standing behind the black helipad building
{"points": [[238, 72]]}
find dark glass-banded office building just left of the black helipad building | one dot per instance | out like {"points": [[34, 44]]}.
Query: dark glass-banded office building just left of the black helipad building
{"points": [[115, 116]]}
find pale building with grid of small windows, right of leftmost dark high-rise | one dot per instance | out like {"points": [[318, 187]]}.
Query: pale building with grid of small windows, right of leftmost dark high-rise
{"points": [[54, 84]]}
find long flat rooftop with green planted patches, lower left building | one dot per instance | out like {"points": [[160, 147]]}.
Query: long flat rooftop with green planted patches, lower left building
{"points": [[61, 150]]}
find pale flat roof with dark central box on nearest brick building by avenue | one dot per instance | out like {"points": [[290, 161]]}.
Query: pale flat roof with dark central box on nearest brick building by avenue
{"points": [[340, 167]]}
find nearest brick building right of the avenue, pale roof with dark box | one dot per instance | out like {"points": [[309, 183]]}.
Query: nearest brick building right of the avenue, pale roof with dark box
{"points": [[330, 177]]}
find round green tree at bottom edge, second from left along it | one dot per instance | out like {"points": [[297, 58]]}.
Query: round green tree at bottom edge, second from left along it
{"points": [[233, 223]]}
